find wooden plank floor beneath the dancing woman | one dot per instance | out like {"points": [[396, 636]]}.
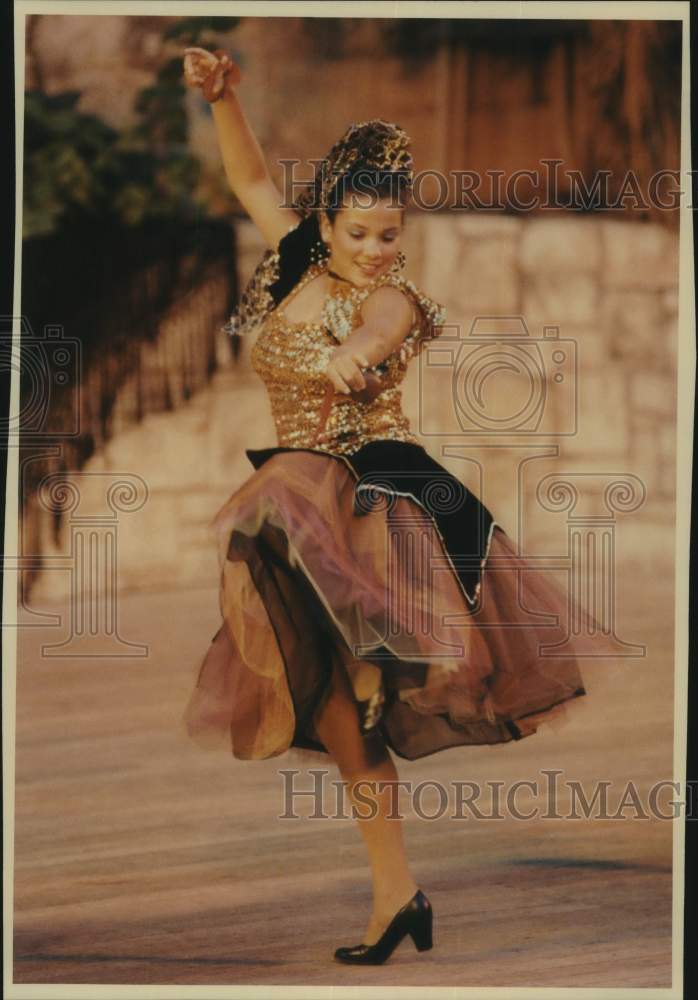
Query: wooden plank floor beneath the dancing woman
{"points": [[142, 859]]}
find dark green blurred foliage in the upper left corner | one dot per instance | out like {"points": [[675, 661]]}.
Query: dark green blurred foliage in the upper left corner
{"points": [[77, 168]]}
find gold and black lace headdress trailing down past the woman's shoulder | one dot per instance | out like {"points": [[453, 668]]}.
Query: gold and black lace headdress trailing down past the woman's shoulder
{"points": [[376, 145]]}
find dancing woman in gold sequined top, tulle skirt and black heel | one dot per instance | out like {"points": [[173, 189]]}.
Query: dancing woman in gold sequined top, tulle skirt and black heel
{"points": [[333, 636]]}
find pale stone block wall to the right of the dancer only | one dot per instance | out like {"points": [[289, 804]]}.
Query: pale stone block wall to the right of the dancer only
{"points": [[608, 420]]}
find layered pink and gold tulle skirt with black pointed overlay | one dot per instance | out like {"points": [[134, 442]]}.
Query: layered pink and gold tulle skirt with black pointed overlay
{"points": [[384, 560]]}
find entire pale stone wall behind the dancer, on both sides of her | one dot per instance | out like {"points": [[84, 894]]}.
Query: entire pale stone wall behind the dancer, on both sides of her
{"points": [[607, 429]]}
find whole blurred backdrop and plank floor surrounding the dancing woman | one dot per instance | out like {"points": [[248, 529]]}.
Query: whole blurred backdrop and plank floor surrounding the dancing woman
{"points": [[135, 418]]}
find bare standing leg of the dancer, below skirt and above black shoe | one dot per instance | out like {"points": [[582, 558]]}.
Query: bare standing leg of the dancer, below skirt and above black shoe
{"points": [[367, 758]]}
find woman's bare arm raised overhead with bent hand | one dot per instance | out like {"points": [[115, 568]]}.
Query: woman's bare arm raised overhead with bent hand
{"points": [[243, 160]]}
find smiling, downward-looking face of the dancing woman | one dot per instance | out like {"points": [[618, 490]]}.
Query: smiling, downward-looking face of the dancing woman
{"points": [[364, 238]]}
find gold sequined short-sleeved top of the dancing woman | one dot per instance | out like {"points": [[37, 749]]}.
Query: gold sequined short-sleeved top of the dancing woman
{"points": [[290, 358]]}
